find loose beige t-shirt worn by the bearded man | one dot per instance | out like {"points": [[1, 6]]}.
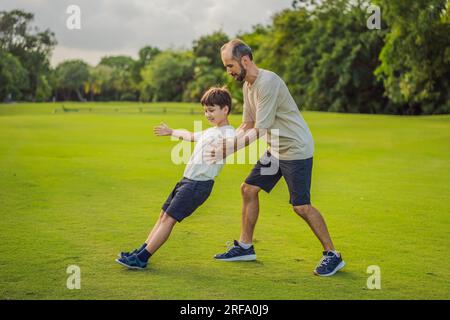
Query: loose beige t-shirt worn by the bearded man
{"points": [[269, 104]]}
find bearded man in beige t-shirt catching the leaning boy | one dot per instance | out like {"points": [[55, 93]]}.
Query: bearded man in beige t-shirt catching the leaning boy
{"points": [[270, 110]]}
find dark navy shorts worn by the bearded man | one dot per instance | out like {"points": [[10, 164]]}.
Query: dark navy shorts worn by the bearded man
{"points": [[296, 173]]}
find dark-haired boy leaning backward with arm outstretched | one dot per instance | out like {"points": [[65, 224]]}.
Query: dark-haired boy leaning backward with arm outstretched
{"points": [[198, 178]]}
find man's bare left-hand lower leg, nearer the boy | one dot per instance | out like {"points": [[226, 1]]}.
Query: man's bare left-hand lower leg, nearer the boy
{"points": [[250, 211]]}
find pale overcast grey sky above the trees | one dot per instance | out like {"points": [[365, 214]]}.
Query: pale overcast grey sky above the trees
{"points": [[110, 27]]}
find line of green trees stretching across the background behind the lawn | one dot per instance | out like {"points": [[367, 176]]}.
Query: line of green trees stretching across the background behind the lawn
{"points": [[329, 58]]}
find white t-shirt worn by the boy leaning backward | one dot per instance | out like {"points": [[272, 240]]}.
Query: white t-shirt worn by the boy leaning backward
{"points": [[197, 168]]}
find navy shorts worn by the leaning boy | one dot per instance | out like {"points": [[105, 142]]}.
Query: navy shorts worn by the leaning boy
{"points": [[186, 197]]}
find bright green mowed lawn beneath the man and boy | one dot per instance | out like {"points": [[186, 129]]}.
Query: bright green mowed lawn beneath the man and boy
{"points": [[77, 188]]}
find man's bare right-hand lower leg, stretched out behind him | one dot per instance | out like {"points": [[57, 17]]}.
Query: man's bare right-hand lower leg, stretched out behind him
{"points": [[316, 222]]}
